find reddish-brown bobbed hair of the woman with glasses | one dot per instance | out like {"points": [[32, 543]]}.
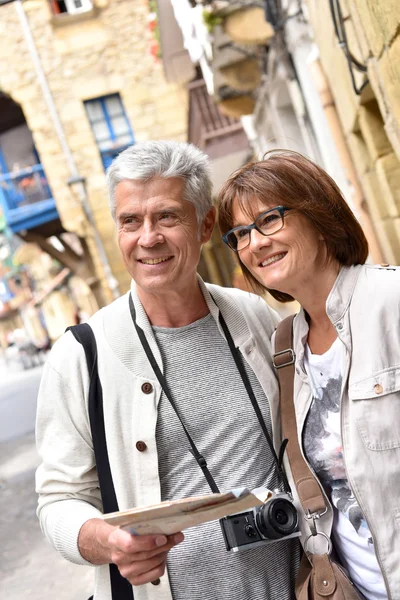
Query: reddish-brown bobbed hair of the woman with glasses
{"points": [[287, 178]]}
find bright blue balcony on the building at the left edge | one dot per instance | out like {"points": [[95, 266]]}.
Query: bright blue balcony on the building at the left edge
{"points": [[26, 199]]}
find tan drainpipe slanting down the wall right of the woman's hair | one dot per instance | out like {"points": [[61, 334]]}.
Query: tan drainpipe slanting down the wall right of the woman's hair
{"points": [[329, 108]]}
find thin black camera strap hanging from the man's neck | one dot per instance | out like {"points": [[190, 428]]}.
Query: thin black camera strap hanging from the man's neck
{"points": [[238, 361]]}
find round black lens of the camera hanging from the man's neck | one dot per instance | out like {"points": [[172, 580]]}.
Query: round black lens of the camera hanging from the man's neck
{"points": [[277, 519]]}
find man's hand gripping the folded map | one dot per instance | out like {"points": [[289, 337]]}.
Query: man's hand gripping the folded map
{"points": [[140, 559]]}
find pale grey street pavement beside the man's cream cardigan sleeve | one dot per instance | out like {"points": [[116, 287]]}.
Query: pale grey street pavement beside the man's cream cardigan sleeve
{"points": [[29, 566]]}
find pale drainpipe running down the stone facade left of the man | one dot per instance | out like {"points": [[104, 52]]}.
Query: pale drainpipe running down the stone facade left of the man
{"points": [[75, 178]]}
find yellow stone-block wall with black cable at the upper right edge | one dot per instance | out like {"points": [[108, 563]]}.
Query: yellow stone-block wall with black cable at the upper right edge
{"points": [[371, 121]]}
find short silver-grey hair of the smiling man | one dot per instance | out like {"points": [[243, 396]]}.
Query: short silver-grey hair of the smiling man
{"points": [[165, 159]]}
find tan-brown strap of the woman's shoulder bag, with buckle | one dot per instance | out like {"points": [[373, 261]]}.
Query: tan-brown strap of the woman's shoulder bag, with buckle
{"points": [[309, 492]]}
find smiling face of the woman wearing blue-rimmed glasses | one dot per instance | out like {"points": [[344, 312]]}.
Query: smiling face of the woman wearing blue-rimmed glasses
{"points": [[286, 260]]}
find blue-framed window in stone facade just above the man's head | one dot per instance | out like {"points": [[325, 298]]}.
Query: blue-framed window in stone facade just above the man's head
{"points": [[110, 126]]}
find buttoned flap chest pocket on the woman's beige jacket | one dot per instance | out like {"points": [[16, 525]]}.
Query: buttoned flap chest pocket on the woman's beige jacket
{"points": [[378, 410]]}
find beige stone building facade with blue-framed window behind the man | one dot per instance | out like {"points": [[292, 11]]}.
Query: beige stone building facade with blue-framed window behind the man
{"points": [[88, 56]]}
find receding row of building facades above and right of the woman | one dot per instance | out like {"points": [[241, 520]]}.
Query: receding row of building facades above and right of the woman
{"points": [[327, 85]]}
